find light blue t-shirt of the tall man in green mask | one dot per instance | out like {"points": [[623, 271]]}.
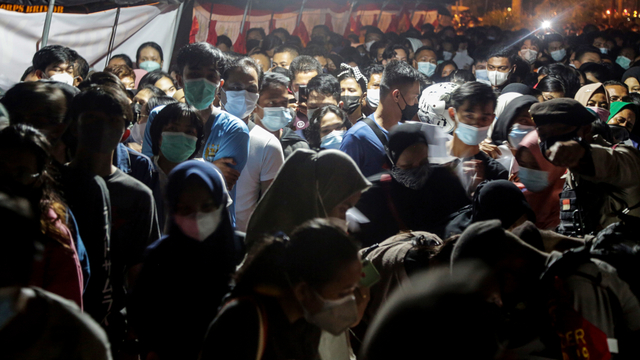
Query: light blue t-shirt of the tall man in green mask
{"points": [[229, 138]]}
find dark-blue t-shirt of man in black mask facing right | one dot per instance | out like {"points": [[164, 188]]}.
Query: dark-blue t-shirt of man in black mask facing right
{"points": [[364, 147]]}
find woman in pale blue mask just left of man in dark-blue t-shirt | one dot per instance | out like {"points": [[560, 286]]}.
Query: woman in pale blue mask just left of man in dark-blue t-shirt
{"points": [[327, 127]]}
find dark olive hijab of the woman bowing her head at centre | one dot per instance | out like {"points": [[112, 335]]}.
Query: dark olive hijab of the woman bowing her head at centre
{"points": [[309, 185]]}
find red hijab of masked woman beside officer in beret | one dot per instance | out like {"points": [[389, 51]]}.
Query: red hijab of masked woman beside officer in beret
{"points": [[545, 204]]}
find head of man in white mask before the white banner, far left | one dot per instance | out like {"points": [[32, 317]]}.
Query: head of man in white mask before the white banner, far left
{"points": [[54, 62]]}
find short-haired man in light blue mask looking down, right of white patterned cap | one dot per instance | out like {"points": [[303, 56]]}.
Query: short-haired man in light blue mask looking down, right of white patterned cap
{"points": [[472, 107]]}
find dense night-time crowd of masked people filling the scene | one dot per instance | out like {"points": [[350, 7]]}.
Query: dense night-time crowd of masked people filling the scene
{"points": [[448, 193]]}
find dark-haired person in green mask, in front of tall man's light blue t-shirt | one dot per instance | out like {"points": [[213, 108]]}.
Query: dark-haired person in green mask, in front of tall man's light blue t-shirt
{"points": [[176, 133]]}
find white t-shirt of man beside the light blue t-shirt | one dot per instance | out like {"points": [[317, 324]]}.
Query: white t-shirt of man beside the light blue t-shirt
{"points": [[264, 161]]}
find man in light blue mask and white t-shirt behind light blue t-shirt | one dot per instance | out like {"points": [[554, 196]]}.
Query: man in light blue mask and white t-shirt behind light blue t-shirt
{"points": [[239, 96]]}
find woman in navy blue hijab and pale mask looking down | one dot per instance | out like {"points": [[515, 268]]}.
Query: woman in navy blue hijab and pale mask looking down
{"points": [[185, 274]]}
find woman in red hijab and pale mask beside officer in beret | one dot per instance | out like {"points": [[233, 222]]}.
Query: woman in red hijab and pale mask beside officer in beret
{"points": [[542, 180]]}
